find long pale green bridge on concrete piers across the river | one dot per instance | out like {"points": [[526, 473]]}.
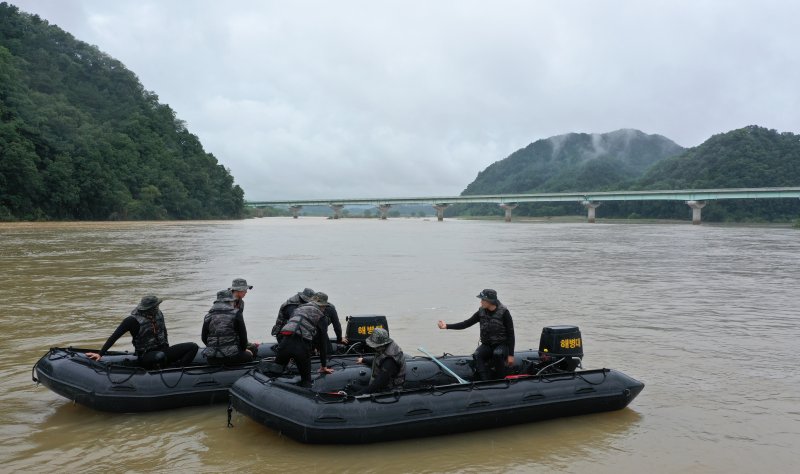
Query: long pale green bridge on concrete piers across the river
{"points": [[696, 199]]}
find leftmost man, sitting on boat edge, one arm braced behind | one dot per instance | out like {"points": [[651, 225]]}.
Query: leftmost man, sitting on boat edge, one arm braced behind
{"points": [[149, 333]]}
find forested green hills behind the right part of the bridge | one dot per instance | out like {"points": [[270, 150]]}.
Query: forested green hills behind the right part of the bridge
{"points": [[750, 157]]}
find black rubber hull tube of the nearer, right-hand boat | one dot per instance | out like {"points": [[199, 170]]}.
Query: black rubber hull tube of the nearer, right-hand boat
{"points": [[320, 417]]}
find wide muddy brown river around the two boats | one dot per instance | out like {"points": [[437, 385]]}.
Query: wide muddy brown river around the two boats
{"points": [[705, 315]]}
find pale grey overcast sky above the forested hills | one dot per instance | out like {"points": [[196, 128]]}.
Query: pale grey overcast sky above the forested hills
{"points": [[344, 99]]}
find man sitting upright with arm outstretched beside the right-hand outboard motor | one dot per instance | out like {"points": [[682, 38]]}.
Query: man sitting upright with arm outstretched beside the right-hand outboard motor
{"points": [[497, 336]]}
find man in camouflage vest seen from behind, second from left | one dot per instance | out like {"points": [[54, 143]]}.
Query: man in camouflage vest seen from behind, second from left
{"points": [[224, 332]]}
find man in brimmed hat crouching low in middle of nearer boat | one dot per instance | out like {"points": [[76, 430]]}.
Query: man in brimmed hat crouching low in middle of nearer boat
{"points": [[388, 365]]}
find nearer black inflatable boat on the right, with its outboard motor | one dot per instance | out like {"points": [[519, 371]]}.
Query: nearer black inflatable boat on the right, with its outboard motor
{"points": [[544, 384]]}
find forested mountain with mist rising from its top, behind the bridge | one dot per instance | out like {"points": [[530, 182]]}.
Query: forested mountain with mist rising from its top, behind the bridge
{"points": [[571, 162]]}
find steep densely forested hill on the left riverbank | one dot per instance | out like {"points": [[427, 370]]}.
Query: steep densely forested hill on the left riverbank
{"points": [[80, 138]]}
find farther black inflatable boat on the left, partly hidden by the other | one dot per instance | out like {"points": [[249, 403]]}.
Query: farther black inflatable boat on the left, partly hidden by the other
{"points": [[117, 384]]}
